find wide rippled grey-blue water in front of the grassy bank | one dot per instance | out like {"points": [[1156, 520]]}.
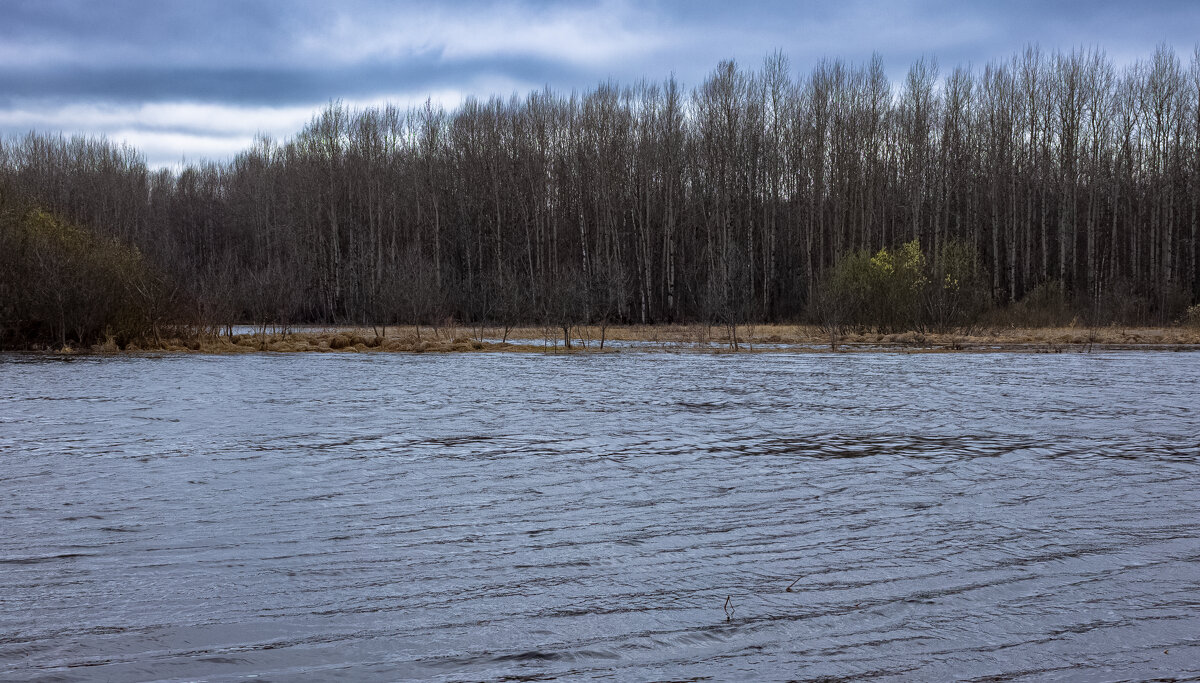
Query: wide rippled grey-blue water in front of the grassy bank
{"points": [[632, 517]]}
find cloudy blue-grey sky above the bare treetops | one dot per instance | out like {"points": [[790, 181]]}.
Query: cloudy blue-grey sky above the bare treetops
{"points": [[200, 79]]}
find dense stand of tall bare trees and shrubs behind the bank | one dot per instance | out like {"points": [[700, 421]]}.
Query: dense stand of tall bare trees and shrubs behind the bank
{"points": [[1057, 179]]}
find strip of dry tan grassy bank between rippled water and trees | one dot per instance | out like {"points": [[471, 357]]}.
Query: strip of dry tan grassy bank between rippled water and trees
{"points": [[700, 339]]}
